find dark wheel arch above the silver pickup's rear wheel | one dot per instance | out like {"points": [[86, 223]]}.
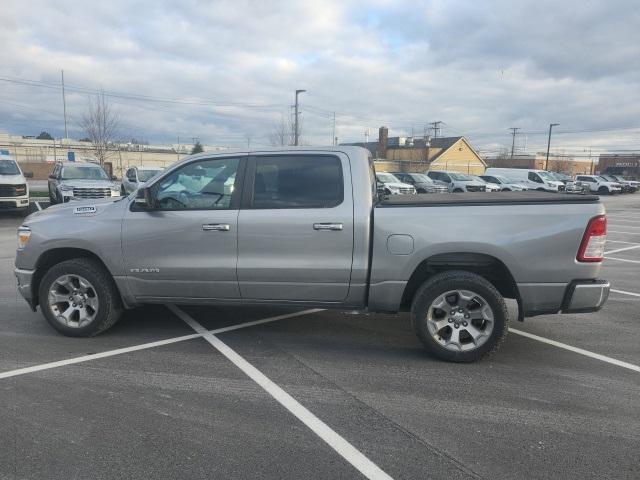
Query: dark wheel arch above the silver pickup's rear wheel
{"points": [[487, 266]]}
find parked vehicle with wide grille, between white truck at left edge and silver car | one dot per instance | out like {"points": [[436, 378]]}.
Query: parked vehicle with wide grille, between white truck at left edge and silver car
{"points": [[76, 180]]}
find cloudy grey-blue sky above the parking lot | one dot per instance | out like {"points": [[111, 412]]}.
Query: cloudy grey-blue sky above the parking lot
{"points": [[225, 71]]}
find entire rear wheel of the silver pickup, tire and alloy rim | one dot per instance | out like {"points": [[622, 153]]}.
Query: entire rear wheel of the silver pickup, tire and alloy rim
{"points": [[459, 316]]}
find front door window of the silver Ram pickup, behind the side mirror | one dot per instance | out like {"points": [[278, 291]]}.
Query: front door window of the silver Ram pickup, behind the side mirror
{"points": [[203, 185]]}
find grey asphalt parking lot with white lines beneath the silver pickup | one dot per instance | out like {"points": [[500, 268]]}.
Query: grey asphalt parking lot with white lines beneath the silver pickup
{"points": [[320, 394]]}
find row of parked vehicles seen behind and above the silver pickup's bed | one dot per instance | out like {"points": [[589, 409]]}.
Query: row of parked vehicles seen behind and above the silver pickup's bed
{"points": [[502, 180]]}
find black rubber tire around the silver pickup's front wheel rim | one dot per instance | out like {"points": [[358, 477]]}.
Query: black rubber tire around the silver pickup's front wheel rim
{"points": [[110, 305]]}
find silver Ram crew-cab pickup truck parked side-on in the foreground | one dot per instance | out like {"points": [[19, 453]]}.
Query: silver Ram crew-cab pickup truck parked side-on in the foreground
{"points": [[308, 227]]}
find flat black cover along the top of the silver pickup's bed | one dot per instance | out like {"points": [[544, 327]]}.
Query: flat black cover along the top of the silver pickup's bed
{"points": [[484, 198]]}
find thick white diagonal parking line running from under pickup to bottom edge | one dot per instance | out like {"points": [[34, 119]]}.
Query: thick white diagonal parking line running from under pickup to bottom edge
{"points": [[350, 453]]}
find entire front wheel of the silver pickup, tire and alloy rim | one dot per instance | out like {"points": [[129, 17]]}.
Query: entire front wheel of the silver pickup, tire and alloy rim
{"points": [[78, 298]]}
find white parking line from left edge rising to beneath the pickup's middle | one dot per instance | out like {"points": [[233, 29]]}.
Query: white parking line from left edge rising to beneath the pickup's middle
{"points": [[145, 346]]}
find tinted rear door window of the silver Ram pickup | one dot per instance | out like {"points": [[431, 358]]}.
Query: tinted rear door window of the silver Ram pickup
{"points": [[298, 182]]}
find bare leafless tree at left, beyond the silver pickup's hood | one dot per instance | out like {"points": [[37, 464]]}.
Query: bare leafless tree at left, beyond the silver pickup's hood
{"points": [[101, 123]]}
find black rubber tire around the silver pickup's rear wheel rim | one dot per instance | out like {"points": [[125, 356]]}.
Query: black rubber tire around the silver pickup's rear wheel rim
{"points": [[462, 280]]}
